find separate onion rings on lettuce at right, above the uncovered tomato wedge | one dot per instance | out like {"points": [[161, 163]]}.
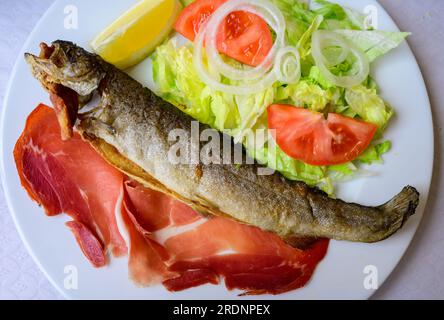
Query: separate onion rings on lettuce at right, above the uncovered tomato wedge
{"points": [[322, 39]]}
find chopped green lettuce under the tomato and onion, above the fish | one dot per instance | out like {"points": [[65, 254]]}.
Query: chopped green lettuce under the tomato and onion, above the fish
{"points": [[178, 82]]}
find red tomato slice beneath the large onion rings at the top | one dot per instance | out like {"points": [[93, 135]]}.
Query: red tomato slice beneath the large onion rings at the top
{"points": [[242, 36]]}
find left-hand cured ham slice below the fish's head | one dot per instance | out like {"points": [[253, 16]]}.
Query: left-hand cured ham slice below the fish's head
{"points": [[70, 177]]}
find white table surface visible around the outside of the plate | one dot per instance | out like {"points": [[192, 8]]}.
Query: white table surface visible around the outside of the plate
{"points": [[418, 276]]}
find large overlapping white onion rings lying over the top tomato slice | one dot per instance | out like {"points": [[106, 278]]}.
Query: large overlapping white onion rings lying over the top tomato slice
{"points": [[260, 77]]}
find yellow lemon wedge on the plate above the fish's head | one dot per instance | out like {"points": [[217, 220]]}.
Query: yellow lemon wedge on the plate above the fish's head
{"points": [[135, 34]]}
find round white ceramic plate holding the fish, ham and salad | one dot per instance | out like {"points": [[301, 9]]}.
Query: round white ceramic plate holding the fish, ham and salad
{"points": [[339, 275]]}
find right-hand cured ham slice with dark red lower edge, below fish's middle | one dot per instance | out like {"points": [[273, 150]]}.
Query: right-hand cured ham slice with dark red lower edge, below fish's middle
{"points": [[198, 250]]}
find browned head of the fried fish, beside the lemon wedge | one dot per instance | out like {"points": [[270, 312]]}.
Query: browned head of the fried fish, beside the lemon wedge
{"points": [[66, 64]]}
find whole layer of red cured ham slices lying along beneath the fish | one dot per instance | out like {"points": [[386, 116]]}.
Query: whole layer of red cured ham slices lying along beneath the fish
{"points": [[167, 241]]}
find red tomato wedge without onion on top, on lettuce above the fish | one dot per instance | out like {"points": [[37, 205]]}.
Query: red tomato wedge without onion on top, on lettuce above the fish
{"points": [[307, 136]]}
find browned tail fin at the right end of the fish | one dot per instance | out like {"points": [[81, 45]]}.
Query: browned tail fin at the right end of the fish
{"points": [[402, 205]]}
